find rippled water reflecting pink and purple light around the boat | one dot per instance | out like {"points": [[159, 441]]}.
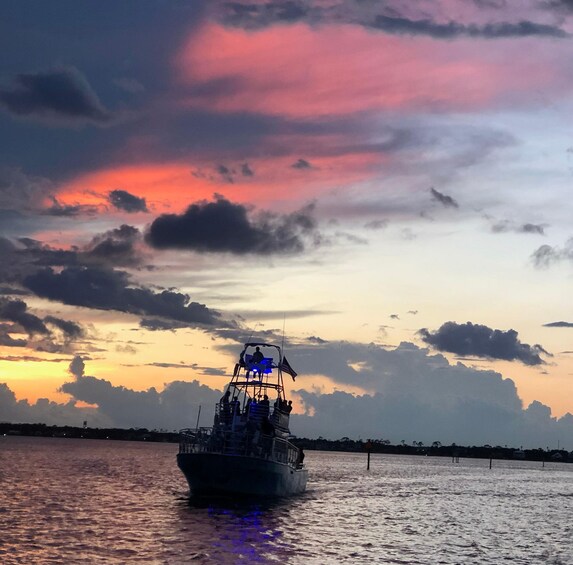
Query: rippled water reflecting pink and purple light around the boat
{"points": [[86, 501]]}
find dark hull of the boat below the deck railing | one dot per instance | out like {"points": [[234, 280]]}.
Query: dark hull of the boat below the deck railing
{"points": [[216, 473]]}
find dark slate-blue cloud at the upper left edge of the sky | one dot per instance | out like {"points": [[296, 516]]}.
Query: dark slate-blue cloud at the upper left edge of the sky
{"points": [[60, 95]]}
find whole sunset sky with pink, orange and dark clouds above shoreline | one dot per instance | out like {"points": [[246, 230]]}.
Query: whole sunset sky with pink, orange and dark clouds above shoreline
{"points": [[383, 186]]}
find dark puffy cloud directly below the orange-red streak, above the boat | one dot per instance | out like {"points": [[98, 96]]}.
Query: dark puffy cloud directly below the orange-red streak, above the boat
{"points": [[225, 227]]}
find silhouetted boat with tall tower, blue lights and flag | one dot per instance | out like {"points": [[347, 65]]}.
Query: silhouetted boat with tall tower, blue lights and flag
{"points": [[249, 448]]}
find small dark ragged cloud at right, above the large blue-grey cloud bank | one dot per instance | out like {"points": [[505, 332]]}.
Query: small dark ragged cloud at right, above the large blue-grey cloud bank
{"points": [[476, 340]]}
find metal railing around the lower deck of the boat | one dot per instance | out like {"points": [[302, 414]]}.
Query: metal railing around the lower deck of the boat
{"points": [[242, 442]]}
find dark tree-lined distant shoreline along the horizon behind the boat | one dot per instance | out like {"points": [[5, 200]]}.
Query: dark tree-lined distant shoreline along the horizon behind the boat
{"points": [[320, 444]]}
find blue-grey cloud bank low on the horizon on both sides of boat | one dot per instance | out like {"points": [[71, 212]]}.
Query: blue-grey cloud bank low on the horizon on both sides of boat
{"points": [[413, 396]]}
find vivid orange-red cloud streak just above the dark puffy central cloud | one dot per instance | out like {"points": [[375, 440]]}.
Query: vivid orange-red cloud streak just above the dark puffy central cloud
{"points": [[171, 187]]}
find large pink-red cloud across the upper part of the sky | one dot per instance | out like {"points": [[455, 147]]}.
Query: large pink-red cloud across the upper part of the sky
{"points": [[305, 72]]}
